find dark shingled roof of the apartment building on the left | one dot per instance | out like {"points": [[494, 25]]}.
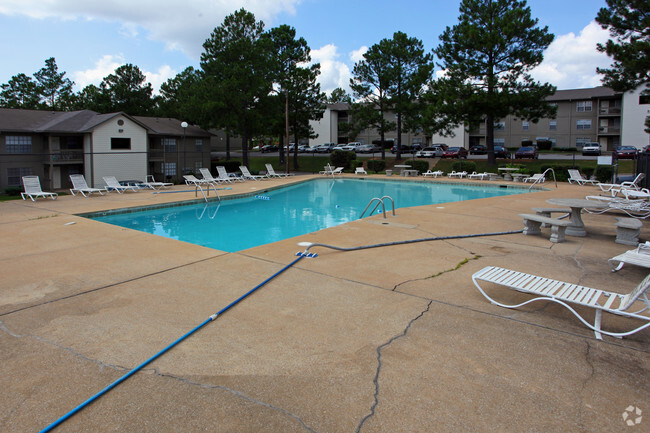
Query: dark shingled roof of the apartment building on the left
{"points": [[46, 121]]}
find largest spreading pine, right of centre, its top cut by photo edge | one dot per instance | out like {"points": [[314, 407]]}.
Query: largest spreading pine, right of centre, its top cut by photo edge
{"points": [[486, 59]]}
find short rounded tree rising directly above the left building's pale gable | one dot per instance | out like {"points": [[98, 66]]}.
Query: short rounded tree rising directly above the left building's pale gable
{"points": [[126, 90]]}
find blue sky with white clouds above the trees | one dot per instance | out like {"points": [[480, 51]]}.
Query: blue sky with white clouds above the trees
{"points": [[91, 38]]}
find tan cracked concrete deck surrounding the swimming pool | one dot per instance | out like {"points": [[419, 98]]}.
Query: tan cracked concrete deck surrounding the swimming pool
{"points": [[392, 339]]}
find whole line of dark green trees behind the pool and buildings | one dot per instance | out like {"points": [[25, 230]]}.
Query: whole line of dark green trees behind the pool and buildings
{"points": [[254, 82]]}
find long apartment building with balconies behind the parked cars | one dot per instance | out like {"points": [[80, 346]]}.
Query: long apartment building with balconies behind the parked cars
{"points": [[596, 114]]}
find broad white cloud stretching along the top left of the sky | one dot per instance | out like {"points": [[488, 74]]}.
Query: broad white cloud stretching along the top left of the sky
{"points": [[180, 24]]}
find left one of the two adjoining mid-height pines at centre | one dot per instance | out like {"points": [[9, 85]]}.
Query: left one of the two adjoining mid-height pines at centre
{"points": [[371, 84]]}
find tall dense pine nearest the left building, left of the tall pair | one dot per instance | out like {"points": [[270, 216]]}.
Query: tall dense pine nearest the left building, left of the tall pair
{"points": [[237, 63]]}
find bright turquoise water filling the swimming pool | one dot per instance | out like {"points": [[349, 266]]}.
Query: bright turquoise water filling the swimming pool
{"points": [[234, 225]]}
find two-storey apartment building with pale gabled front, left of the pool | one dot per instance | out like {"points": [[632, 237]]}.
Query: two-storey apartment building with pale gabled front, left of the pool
{"points": [[54, 145]]}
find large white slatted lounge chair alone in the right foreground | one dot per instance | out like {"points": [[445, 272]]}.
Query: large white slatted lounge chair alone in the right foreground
{"points": [[546, 289]]}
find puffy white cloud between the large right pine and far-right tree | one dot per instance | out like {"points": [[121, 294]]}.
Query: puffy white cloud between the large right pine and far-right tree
{"points": [[570, 61]]}
